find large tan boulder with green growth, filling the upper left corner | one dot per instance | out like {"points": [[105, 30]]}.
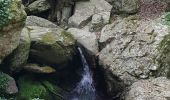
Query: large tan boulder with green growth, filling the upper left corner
{"points": [[12, 21]]}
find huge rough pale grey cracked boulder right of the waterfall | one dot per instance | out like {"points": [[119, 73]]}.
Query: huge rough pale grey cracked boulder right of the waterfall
{"points": [[135, 49]]}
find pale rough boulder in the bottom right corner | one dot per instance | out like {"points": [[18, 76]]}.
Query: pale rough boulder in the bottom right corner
{"points": [[153, 89]]}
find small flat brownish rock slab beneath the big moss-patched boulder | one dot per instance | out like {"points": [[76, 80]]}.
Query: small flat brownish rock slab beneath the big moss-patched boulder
{"points": [[37, 69]]}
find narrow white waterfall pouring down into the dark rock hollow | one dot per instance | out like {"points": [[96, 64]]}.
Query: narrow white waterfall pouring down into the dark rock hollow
{"points": [[85, 88]]}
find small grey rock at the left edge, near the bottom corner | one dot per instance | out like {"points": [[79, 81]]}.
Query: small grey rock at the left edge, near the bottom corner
{"points": [[7, 85]]}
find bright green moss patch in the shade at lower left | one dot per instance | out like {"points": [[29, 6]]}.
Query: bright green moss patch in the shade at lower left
{"points": [[30, 89]]}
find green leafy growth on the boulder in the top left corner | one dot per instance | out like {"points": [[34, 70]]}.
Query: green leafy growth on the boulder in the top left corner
{"points": [[4, 12]]}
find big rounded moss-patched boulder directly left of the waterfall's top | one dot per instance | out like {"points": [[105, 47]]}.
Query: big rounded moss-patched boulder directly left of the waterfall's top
{"points": [[51, 46]]}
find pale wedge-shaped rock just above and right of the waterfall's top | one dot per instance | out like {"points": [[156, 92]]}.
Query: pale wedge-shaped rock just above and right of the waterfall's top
{"points": [[88, 41]]}
